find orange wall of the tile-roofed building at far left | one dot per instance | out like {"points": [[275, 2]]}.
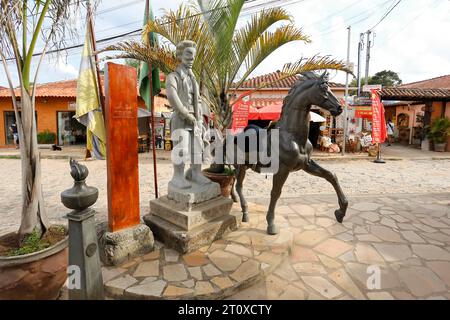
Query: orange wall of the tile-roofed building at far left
{"points": [[46, 114]]}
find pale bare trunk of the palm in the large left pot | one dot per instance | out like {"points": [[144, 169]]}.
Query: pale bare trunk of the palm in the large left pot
{"points": [[33, 211]]}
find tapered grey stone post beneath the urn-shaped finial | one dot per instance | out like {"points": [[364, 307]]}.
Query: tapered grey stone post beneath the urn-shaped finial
{"points": [[84, 254]]}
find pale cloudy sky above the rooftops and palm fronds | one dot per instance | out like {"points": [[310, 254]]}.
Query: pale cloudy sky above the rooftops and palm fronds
{"points": [[412, 40]]}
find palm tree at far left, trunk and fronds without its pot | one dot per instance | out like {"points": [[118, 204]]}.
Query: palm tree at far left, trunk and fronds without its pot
{"points": [[23, 24]]}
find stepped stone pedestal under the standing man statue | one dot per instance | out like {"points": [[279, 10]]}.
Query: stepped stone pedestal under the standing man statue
{"points": [[187, 219]]}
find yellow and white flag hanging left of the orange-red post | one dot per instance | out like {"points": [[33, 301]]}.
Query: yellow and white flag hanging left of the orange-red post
{"points": [[89, 112]]}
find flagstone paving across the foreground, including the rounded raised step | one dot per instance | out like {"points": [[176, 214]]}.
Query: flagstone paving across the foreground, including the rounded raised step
{"points": [[406, 236]]}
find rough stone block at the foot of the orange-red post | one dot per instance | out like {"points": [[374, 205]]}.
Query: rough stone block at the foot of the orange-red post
{"points": [[123, 245]]}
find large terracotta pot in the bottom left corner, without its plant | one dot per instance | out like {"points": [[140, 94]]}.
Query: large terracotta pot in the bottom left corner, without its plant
{"points": [[35, 276]]}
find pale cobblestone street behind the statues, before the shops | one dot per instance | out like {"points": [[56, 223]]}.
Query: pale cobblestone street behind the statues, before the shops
{"points": [[356, 177]]}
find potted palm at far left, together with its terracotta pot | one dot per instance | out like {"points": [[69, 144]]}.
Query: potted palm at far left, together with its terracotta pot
{"points": [[33, 260]]}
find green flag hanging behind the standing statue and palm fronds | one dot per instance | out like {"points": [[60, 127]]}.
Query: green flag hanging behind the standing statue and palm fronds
{"points": [[144, 87]]}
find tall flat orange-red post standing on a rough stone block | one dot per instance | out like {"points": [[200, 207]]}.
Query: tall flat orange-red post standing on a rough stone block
{"points": [[122, 146]]}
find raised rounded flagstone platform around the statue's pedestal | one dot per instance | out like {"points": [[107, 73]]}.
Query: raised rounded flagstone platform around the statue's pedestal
{"points": [[237, 261]]}
